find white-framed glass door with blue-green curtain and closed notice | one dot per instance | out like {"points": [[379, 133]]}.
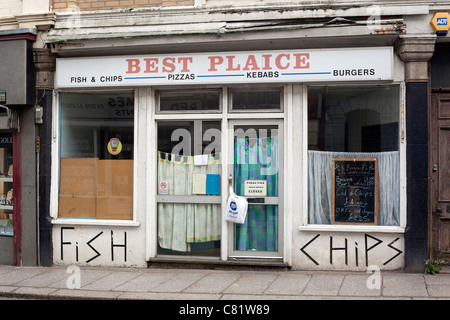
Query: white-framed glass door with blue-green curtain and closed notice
{"points": [[256, 173]]}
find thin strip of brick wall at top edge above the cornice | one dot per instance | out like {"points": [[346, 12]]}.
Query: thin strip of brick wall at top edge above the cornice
{"points": [[93, 5]]}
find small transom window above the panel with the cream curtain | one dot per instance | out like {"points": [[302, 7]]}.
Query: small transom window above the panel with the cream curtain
{"points": [[189, 101]]}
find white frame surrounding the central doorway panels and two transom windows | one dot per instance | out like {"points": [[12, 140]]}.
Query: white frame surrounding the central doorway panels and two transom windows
{"points": [[225, 116]]}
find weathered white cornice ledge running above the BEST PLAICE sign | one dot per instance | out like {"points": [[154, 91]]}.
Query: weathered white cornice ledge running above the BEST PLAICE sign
{"points": [[189, 29]]}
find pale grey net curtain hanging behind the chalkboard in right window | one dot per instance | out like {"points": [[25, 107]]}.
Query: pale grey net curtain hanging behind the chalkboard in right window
{"points": [[319, 185]]}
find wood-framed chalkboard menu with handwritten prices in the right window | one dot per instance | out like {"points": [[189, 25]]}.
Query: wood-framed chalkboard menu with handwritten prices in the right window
{"points": [[354, 191]]}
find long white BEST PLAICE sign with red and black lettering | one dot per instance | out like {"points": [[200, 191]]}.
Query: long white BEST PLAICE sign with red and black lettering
{"points": [[227, 67]]}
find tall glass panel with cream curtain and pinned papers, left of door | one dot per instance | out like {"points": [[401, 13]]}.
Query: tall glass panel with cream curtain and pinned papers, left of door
{"points": [[189, 187]]}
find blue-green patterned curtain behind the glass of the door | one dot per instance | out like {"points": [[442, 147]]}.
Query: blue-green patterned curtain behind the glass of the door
{"points": [[257, 159]]}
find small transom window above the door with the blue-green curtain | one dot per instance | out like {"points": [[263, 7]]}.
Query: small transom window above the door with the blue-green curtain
{"points": [[264, 100]]}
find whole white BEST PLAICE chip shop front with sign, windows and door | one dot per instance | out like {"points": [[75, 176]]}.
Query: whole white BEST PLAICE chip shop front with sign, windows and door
{"points": [[147, 149]]}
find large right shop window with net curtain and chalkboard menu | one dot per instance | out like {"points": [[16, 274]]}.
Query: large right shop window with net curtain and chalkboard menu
{"points": [[353, 155]]}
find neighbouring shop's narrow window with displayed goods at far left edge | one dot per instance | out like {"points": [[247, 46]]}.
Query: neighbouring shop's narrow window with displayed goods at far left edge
{"points": [[6, 184]]}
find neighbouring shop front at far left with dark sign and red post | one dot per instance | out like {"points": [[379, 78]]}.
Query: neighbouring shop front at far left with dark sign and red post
{"points": [[18, 216]]}
